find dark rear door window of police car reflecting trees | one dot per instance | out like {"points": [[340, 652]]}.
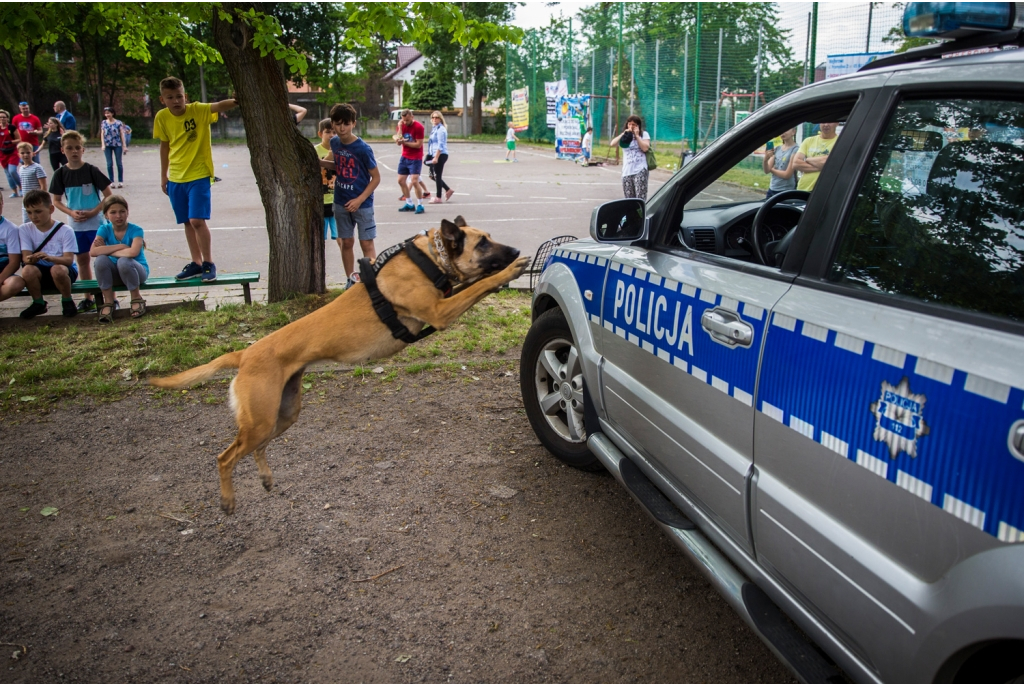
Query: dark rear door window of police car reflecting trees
{"points": [[941, 215]]}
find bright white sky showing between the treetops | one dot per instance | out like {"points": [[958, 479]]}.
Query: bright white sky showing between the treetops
{"points": [[842, 26]]}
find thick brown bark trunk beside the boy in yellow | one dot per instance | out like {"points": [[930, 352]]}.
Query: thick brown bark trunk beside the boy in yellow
{"points": [[286, 165]]}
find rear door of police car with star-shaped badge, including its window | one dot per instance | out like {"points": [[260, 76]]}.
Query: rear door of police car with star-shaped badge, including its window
{"points": [[888, 434]]}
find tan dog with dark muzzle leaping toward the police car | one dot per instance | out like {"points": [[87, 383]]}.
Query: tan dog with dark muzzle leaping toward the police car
{"points": [[266, 395]]}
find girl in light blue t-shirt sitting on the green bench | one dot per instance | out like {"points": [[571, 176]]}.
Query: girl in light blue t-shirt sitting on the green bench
{"points": [[119, 251]]}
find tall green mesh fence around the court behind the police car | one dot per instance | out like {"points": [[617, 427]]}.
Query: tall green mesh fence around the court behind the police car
{"points": [[699, 72]]}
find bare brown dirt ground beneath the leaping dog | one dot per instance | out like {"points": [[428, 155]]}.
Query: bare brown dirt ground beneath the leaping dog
{"points": [[416, 532]]}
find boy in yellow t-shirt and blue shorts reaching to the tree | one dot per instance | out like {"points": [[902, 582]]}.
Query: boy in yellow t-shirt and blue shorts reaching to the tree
{"points": [[187, 169]]}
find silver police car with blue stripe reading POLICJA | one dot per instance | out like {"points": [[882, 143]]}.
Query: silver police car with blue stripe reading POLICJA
{"points": [[820, 397]]}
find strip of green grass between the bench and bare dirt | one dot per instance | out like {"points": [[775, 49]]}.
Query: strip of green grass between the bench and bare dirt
{"points": [[79, 359]]}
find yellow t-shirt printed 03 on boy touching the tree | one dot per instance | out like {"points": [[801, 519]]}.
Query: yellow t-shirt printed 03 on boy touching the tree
{"points": [[189, 136]]}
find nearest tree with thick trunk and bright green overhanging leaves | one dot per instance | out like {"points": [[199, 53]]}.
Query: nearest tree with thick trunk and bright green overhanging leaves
{"points": [[258, 56]]}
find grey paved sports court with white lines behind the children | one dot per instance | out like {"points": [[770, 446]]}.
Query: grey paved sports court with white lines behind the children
{"points": [[522, 204]]}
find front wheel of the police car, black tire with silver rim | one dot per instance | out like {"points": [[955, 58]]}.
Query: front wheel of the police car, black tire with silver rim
{"points": [[550, 361]]}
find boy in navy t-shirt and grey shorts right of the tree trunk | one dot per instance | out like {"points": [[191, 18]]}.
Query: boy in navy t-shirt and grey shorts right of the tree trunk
{"points": [[357, 178]]}
